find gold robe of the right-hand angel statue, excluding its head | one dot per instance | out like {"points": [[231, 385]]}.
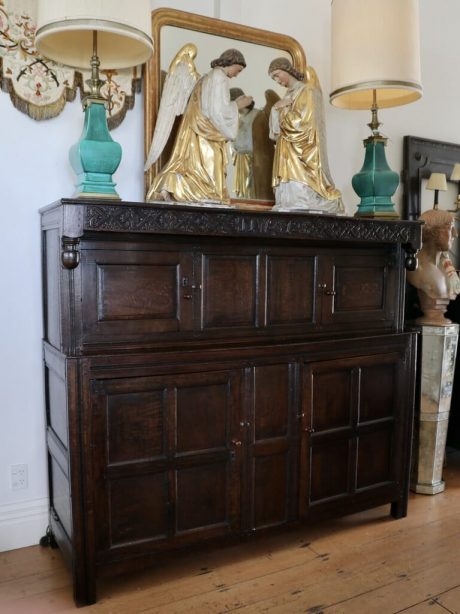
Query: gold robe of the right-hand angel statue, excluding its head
{"points": [[300, 173]]}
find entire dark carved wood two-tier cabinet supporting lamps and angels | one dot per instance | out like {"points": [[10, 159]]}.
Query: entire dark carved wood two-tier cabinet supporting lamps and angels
{"points": [[211, 373]]}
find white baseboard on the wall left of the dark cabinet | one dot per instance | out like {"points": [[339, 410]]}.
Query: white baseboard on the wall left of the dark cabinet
{"points": [[22, 523]]}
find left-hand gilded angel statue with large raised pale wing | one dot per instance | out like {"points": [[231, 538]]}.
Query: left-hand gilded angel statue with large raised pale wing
{"points": [[197, 168]]}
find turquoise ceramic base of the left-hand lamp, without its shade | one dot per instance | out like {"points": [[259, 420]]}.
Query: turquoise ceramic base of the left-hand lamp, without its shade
{"points": [[96, 156]]}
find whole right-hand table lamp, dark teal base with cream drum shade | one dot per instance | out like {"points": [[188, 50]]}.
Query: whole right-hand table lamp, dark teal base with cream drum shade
{"points": [[375, 64]]}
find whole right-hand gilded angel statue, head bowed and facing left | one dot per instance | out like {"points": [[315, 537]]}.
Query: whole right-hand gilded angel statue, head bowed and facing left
{"points": [[301, 176]]}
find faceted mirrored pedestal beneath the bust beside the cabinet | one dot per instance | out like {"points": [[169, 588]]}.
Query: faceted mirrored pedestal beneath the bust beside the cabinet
{"points": [[439, 348]]}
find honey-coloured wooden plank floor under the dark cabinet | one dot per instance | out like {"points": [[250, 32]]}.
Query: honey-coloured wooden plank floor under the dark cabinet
{"points": [[363, 564]]}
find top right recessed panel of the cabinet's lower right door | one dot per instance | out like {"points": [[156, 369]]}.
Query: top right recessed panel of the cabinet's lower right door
{"points": [[377, 398]]}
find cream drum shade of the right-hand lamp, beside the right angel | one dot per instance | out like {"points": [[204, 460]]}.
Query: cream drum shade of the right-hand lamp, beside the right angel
{"points": [[375, 46]]}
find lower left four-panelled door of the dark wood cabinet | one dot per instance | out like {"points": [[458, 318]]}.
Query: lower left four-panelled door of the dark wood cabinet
{"points": [[164, 459]]}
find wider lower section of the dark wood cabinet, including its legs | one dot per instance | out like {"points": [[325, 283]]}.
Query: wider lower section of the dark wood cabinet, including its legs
{"points": [[159, 454]]}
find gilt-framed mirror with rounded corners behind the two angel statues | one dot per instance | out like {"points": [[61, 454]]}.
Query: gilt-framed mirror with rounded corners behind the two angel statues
{"points": [[172, 29]]}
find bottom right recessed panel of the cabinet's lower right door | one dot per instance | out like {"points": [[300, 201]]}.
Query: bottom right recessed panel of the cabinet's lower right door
{"points": [[374, 458]]}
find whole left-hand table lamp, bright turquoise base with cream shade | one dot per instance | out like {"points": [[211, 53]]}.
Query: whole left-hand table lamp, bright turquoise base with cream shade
{"points": [[98, 33]]}
